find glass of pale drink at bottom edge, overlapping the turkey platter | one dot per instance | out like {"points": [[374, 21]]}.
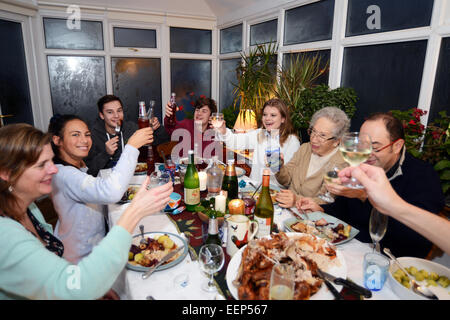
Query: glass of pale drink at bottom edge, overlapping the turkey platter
{"points": [[282, 282]]}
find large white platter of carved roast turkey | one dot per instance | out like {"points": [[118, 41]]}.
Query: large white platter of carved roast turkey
{"points": [[248, 273]]}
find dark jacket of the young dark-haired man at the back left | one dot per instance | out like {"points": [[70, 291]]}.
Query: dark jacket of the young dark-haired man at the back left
{"points": [[99, 159]]}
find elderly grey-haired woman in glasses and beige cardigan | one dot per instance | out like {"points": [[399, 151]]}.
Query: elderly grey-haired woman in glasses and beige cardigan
{"points": [[303, 174]]}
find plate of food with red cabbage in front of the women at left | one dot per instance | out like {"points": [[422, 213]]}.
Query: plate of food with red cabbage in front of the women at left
{"points": [[142, 257]]}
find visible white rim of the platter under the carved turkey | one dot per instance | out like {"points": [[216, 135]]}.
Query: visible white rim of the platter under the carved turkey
{"points": [[323, 293]]}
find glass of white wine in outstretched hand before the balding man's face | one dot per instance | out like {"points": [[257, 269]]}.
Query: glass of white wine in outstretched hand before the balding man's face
{"points": [[355, 148]]}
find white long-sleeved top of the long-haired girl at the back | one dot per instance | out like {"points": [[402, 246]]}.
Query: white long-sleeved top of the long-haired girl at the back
{"points": [[249, 140]]}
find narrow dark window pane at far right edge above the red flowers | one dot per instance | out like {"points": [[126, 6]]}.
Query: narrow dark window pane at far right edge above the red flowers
{"points": [[441, 92]]}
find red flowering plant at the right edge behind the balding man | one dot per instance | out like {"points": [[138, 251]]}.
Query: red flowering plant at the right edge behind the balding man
{"points": [[430, 143]]}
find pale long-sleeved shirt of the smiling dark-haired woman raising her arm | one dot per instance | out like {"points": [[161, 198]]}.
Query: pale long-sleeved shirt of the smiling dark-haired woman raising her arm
{"points": [[77, 197]]}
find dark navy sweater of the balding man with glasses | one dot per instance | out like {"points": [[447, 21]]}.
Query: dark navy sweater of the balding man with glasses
{"points": [[419, 184]]}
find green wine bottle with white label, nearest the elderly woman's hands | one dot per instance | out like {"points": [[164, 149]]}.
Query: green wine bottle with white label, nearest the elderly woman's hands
{"points": [[264, 208]]}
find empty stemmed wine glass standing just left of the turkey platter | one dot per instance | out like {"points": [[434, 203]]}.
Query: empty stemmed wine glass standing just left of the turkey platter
{"points": [[211, 258]]}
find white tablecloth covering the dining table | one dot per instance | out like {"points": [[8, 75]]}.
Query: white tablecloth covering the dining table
{"points": [[160, 285]]}
